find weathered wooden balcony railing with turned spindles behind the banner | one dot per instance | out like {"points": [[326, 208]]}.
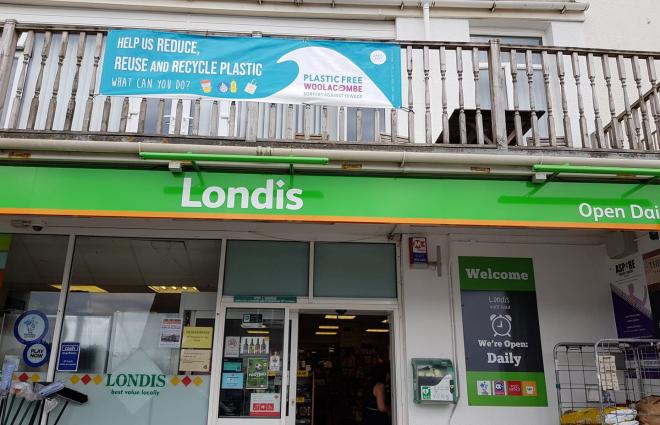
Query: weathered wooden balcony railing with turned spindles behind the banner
{"points": [[474, 94]]}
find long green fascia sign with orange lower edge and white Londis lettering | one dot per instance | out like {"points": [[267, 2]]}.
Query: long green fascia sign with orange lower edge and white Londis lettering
{"points": [[103, 192]]}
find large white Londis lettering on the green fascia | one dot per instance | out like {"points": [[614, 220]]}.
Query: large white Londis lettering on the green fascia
{"points": [[272, 196]]}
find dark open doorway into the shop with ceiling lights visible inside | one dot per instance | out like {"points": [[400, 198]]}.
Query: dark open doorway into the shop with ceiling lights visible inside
{"points": [[341, 358]]}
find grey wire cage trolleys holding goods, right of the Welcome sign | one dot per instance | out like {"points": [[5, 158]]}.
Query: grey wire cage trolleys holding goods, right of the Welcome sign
{"points": [[611, 382]]}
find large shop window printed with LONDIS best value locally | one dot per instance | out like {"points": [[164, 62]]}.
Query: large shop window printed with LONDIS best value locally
{"points": [[138, 330]]}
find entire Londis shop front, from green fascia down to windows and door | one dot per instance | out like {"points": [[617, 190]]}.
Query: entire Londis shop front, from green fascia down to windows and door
{"points": [[225, 298]]}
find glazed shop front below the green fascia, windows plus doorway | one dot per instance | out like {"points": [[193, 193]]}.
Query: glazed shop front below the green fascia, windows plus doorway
{"points": [[138, 330]]}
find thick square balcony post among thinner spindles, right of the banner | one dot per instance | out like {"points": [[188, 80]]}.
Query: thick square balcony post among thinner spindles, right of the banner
{"points": [[497, 95]]}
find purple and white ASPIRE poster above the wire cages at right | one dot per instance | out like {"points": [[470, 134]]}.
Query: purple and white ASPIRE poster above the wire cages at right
{"points": [[630, 297]]}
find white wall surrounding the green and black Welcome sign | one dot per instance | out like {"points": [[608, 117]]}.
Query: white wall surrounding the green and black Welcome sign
{"points": [[574, 304]]}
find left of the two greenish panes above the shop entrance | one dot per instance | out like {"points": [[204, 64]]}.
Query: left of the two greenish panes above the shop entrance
{"points": [[268, 268]]}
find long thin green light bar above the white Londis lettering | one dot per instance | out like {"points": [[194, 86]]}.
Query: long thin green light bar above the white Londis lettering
{"points": [[189, 156]]}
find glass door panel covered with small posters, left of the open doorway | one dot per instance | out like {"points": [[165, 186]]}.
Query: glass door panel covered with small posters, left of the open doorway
{"points": [[251, 384]]}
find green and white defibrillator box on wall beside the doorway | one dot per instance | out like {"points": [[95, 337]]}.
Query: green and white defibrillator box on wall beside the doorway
{"points": [[434, 381]]}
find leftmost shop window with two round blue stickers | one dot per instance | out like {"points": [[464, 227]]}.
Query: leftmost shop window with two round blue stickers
{"points": [[31, 269]]}
